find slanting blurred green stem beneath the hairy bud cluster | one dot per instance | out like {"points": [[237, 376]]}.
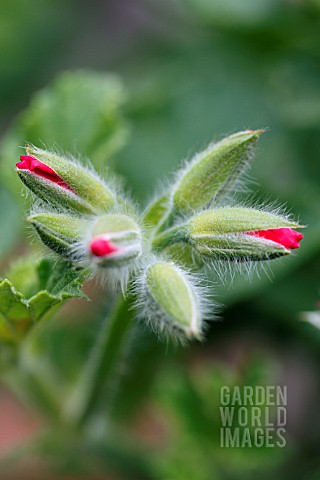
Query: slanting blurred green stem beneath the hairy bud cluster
{"points": [[103, 362]]}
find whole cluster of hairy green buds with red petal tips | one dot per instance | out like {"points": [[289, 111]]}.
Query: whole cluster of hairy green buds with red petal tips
{"points": [[157, 255]]}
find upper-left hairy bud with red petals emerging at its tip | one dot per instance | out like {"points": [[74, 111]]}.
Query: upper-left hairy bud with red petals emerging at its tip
{"points": [[63, 182]]}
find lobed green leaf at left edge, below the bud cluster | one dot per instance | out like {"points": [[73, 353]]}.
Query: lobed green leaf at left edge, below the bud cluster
{"points": [[53, 282]]}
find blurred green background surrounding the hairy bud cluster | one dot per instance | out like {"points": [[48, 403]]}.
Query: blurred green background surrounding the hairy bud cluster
{"points": [[140, 85]]}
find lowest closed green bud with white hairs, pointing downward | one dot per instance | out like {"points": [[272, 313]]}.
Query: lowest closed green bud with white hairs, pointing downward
{"points": [[170, 301]]}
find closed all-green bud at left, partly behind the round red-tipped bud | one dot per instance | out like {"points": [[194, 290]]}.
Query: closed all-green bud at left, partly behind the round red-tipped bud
{"points": [[59, 232]]}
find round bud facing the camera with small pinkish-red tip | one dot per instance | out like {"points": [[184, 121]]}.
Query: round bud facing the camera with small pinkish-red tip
{"points": [[114, 241]]}
